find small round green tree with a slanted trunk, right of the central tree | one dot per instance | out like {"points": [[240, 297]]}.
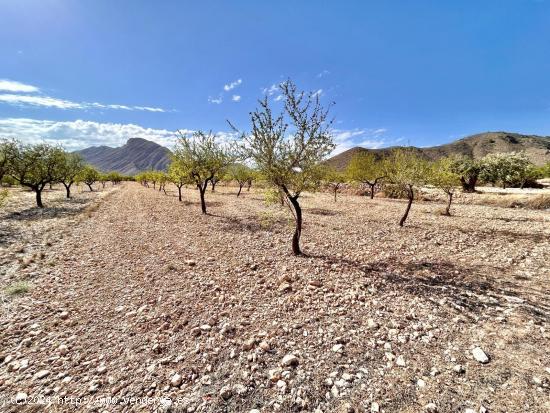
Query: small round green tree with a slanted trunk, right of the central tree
{"points": [[405, 169]]}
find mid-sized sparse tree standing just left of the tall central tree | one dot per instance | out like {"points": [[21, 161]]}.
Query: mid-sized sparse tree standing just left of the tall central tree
{"points": [[204, 157]]}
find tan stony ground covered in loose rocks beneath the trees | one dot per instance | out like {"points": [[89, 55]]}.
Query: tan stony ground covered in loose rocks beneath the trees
{"points": [[139, 303]]}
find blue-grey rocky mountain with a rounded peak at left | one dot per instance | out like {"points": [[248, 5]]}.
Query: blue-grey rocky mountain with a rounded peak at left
{"points": [[135, 156]]}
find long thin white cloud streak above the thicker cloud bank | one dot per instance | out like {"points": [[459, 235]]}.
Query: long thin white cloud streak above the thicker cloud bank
{"points": [[46, 101]]}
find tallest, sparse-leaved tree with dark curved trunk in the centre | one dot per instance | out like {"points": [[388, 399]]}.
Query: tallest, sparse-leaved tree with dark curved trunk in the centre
{"points": [[288, 148]]}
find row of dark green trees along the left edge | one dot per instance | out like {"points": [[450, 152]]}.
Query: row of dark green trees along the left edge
{"points": [[36, 166]]}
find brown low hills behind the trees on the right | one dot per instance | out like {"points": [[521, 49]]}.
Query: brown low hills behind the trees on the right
{"points": [[537, 148]]}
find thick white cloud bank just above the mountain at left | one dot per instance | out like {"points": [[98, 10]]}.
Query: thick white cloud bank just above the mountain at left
{"points": [[80, 134]]}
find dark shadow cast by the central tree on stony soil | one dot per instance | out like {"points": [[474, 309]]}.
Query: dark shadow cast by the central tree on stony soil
{"points": [[467, 289]]}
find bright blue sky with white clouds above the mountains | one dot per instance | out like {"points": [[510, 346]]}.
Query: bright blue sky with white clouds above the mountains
{"points": [[93, 72]]}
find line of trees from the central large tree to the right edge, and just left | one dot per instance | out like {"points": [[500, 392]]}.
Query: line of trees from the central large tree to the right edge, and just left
{"points": [[286, 150]]}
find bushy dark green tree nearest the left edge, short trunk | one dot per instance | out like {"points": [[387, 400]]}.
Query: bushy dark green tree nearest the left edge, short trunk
{"points": [[35, 166]]}
